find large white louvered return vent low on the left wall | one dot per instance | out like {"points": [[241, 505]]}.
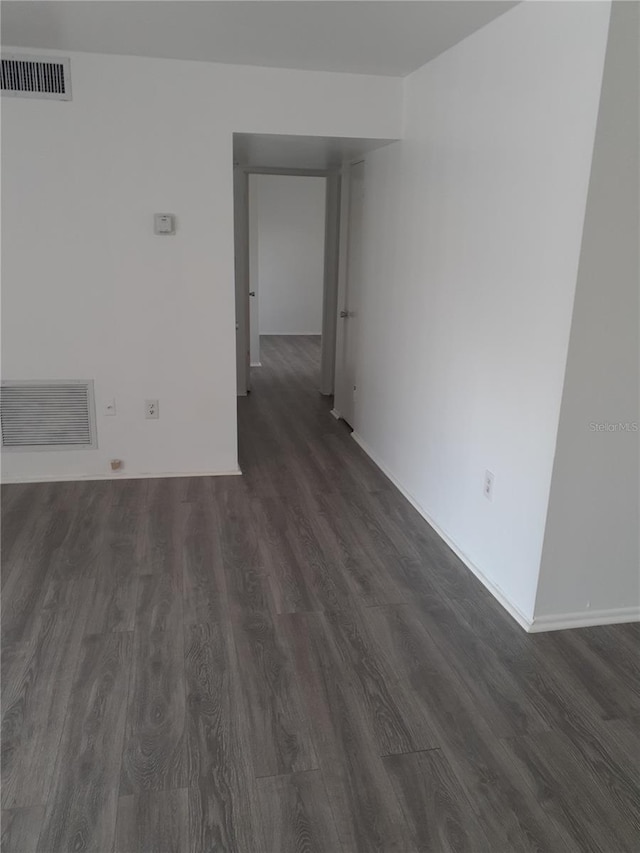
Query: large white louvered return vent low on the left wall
{"points": [[48, 415]]}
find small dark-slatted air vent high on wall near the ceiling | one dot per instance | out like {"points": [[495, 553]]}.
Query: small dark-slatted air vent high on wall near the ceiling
{"points": [[36, 77]]}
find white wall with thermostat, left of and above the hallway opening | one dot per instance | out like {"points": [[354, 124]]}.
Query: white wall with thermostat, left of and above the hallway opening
{"points": [[90, 292]]}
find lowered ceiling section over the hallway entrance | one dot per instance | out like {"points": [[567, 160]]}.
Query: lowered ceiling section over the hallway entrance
{"points": [[299, 152]]}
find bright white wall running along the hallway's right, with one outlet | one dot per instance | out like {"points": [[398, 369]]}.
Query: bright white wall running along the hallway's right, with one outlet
{"points": [[472, 236]]}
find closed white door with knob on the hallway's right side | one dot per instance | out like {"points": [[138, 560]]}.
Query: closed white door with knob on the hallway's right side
{"points": [[348, 317]]}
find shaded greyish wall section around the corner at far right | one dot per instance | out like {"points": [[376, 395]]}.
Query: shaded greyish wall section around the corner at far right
{"points": [[590, 564]]}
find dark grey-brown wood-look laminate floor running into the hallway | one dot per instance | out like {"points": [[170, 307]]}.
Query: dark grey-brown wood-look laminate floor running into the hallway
{"points": [[292, 661]]}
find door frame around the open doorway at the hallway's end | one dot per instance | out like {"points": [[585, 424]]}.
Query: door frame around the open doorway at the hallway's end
{"points": [[332, 233]]}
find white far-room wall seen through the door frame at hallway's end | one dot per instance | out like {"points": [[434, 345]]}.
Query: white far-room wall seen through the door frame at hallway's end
{"points": [[289, 233]]}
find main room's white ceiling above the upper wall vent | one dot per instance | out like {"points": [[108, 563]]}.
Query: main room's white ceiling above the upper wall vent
{"points": [[363, 37]]}
